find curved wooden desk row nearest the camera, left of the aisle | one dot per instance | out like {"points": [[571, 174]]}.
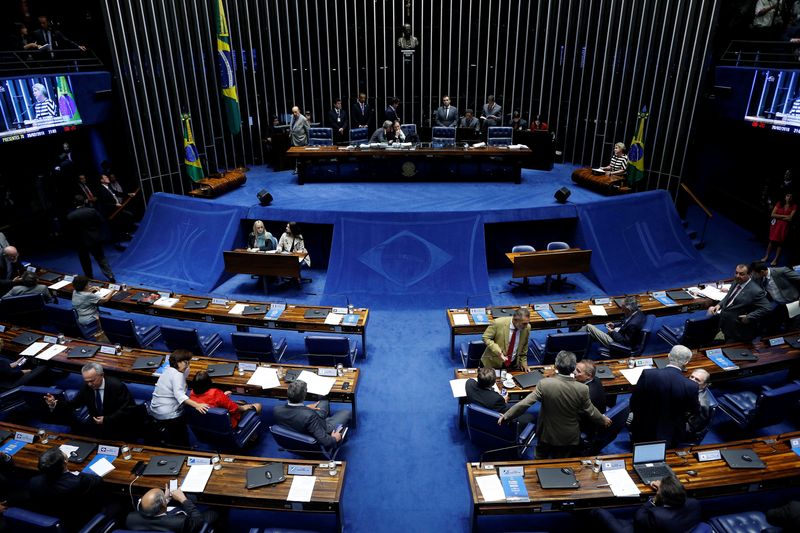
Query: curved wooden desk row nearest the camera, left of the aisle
{"points": [[226, 487]]}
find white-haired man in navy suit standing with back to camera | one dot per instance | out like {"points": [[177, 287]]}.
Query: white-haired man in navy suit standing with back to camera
{"points": [[663, 399]]}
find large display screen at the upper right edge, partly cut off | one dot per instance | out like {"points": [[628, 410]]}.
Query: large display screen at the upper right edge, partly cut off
{"points": [[774, 101]]}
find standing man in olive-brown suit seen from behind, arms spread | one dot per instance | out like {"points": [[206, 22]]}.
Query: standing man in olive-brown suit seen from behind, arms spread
{"points": [[564, 404]]}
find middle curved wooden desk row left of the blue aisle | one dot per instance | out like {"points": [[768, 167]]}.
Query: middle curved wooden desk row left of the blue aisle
{"points": [[121, 366]]}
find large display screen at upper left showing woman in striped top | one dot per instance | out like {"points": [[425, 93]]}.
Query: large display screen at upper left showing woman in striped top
{"points": [[36, 106]]}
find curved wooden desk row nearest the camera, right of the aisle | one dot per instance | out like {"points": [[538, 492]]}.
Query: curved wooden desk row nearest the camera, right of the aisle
{"points": [[714, 478]]}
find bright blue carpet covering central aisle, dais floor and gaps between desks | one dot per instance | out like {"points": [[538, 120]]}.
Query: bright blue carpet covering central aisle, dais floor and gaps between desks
{"points": [[406, 458]]}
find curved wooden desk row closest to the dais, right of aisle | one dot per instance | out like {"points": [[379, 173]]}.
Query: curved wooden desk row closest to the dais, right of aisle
{"points": [[581, 317]]}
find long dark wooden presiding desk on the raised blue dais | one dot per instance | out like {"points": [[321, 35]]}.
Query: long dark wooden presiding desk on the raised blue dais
{"points": [[325, 163]]}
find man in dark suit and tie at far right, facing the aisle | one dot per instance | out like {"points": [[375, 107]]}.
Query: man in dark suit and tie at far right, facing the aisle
{"points": [[741, 309]]}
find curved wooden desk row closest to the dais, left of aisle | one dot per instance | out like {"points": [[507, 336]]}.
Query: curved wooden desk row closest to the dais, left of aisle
{"points": [[292, 318]]}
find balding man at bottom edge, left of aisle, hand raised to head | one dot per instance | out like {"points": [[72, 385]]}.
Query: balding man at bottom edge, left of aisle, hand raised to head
{"points": [[153, 514]]}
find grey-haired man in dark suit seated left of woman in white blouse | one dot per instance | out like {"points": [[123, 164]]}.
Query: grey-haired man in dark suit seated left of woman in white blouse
{"points": [[107, 399]]}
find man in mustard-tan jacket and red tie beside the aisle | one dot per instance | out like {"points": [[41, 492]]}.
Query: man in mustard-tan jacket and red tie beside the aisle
{"points": [[506, 342]]}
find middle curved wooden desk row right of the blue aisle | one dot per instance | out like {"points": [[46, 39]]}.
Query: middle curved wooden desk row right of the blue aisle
{"points": [[770, 359]]}
